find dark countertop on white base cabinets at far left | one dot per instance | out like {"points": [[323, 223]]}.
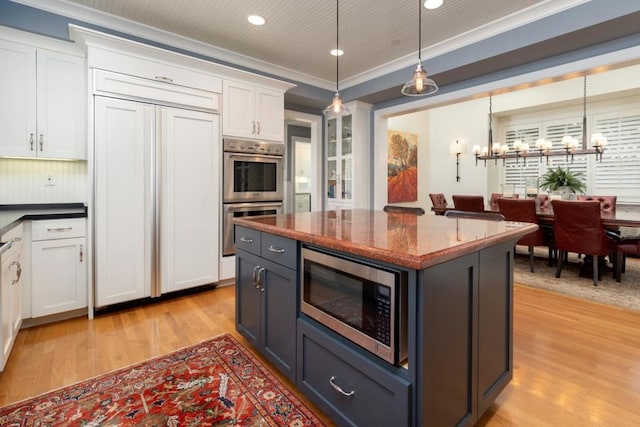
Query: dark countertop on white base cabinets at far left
{"points": [[11, 215]]}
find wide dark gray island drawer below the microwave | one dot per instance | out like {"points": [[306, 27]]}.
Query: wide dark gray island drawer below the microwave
{"points": [[349, 387]]}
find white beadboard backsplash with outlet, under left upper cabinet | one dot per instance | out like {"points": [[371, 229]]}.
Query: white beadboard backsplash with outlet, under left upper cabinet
{"points": [[25, 181]]}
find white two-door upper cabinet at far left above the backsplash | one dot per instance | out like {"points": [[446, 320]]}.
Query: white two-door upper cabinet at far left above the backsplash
{"points": [[42, 105]]}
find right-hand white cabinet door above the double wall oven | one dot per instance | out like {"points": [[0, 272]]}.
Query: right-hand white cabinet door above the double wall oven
{"points": [[269, 114]]}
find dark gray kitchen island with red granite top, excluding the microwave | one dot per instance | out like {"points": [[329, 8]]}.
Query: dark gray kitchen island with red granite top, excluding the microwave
{"points": [[459, 313]]}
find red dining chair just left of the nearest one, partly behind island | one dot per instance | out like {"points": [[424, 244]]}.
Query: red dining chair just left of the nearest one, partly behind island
{"points": [[525, 211]]}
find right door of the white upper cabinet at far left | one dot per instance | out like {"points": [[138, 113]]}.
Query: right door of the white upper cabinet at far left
{"points": [[61, 106]]}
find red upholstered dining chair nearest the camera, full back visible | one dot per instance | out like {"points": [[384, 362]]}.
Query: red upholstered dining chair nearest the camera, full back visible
{"points": [[577, 227]]}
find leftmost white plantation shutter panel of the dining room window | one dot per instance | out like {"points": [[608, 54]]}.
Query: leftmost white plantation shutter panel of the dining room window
{"points": [[516, 170]]}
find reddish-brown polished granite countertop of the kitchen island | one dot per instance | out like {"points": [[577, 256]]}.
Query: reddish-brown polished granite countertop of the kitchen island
{"points": [[403, 239]]}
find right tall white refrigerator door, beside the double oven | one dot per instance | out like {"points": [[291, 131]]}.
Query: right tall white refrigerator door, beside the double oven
{"points": [[190, 198]]}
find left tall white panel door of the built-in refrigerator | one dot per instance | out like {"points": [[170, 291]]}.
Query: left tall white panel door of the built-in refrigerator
{"points": [[123, 200]]}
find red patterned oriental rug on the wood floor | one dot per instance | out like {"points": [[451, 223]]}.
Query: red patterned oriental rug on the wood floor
{"points": [[217, 382]]}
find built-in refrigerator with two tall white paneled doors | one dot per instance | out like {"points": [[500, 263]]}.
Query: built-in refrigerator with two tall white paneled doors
{"points": [[156, 199]]}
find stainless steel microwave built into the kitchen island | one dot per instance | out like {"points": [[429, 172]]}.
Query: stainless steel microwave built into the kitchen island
{"points": [[365, 303]]}
